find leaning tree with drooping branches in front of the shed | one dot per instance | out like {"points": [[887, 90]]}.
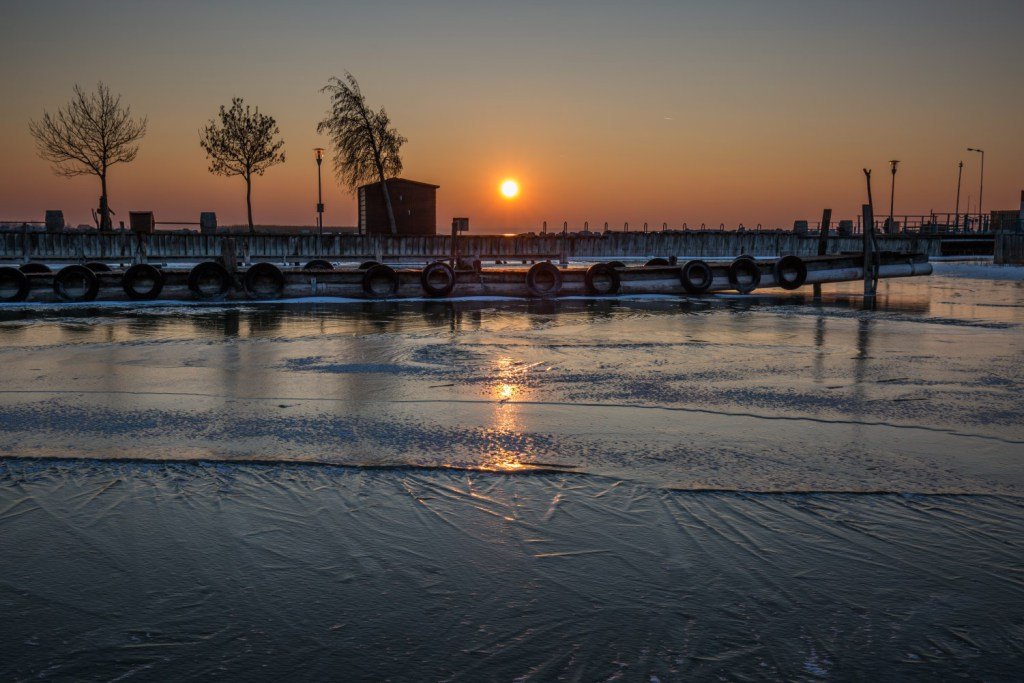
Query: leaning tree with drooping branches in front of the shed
{"points": [[366, 146]]}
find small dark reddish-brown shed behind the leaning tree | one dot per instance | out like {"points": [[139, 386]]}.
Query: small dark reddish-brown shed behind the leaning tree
{"points": [[415, 206]]}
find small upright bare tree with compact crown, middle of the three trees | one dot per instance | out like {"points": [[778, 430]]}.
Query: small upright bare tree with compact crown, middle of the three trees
{"points": [[245, 144]]}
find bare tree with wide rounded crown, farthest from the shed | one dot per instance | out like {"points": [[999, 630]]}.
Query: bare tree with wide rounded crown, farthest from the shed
{"points": [[94, 133]]}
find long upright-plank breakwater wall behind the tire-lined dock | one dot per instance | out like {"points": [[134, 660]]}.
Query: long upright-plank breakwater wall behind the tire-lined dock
{"points": [[28, 246]]}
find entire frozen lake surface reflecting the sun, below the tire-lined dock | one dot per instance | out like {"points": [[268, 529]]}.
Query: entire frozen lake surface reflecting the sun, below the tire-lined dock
{"points": [[761, 486]]}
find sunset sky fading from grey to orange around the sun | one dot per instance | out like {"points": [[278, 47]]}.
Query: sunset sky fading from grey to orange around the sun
{"points": [[753, 112]]}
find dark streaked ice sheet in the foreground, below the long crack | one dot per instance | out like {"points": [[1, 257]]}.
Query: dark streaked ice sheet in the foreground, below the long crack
{"points": [[292, 573]]}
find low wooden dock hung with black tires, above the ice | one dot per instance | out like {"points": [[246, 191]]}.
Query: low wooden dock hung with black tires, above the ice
{"points": [[228, 278]]}
